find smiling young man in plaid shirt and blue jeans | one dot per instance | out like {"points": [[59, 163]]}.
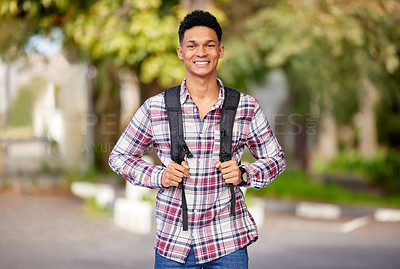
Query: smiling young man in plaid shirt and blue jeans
{"points": [[215, 238]]}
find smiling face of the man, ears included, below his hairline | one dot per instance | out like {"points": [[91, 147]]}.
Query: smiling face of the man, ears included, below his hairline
{"points": [[200, 51]]}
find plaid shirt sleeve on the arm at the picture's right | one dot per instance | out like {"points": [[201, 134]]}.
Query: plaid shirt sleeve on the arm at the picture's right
{"points": [[264, 146]]}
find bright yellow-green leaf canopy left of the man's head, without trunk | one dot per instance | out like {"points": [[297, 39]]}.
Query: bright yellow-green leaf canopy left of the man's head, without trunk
{"points": [[135, 33]]}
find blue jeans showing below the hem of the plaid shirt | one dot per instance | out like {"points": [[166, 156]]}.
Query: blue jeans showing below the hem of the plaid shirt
{"points": [[236, 260]]}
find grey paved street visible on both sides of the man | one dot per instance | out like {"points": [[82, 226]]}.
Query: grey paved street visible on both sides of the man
{"points": [[56, 232]]}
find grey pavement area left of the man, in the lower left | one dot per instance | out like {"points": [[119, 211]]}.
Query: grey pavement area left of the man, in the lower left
{"points": [[54, 232]]}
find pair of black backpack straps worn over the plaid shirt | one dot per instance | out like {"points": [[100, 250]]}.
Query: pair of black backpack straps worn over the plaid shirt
{"points": [[179, 147]]}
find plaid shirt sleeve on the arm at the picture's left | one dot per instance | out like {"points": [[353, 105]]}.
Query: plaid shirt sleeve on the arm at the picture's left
{"points": [[125, 158]]}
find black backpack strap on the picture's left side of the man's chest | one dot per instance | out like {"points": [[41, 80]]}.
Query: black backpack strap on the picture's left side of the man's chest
{"points": [[178, 146]]}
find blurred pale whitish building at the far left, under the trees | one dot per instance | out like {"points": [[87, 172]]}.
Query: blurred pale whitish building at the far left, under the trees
{"points": [[60, 109]]}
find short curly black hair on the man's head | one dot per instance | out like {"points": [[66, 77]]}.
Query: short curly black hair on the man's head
{"points": [[199, 18]]}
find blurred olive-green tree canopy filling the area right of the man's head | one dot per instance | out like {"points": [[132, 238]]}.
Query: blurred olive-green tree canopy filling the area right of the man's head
{"points": [[327, 49]]}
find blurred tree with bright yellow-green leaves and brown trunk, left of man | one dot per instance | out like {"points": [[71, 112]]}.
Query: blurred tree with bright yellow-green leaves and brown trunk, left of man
{"points": [[132, 35]]}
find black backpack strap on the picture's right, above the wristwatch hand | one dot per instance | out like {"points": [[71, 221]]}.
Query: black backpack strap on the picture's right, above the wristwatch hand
{"points": [[228, 112]]}
